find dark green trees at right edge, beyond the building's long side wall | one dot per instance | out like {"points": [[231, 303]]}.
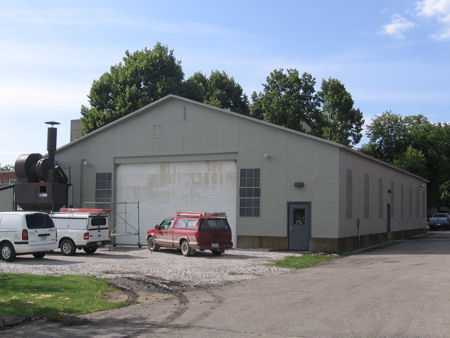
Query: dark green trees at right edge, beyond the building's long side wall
{"points": [[416, 145]]}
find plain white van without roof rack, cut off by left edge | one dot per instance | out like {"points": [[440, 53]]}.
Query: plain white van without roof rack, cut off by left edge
{"points": [[25, 232]]}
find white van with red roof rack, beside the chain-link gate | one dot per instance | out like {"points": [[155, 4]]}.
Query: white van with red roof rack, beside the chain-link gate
{"points": [[85, 229]]}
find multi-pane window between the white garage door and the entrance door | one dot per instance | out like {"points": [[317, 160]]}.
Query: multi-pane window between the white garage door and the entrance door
{"points": [[250, 192]]}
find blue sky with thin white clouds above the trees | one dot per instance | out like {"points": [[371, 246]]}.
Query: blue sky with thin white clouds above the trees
{"points": [[390, 55]]}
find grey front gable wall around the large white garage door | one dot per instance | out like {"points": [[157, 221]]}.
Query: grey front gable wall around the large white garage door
{"points": [[181, 131]]}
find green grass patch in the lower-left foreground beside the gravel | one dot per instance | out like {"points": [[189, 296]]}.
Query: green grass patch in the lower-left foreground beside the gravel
{"points": [[26, 295]]}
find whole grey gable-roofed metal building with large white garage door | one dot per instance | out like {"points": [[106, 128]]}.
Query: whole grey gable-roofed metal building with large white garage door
{"points": [[281, 189]]}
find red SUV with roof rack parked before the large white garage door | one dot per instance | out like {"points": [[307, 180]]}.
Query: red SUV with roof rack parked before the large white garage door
{"points": [[190, 231]]}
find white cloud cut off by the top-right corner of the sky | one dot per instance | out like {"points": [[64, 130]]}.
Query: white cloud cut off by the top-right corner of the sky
{"points": [[438, 9]]}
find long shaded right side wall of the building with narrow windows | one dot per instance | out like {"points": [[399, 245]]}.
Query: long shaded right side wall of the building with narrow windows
{"points": [[373, 220]]}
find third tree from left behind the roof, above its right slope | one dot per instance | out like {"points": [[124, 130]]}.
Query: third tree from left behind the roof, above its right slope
{"points": [[289, 100]]}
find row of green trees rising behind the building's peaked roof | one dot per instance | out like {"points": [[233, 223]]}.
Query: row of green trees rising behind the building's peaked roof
{"points": [[288, 98]]}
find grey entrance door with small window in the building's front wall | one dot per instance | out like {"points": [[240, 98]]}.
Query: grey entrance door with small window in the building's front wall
{"points": [[299, 225]]}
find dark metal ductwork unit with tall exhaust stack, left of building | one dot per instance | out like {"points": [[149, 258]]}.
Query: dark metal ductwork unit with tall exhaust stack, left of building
{"points": [[41, 184]]}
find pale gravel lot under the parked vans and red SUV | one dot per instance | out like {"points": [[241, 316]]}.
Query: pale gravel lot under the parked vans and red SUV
{"points": [[200, 269]]}
